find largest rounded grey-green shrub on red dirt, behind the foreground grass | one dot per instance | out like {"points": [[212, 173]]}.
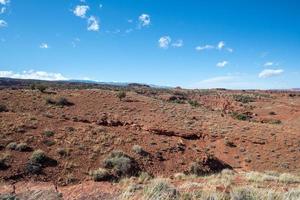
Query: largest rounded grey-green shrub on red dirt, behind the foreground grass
{"points": [[121, 164]]}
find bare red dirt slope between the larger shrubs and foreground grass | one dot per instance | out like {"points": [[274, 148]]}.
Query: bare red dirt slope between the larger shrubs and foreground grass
{"points": [[174, 134]]}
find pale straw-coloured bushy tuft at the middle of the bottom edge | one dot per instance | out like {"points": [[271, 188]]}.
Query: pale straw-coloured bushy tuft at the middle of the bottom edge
{"points": [[161, 190]]}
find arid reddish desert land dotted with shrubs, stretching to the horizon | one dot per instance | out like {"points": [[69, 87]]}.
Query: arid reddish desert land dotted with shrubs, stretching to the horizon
{"points": [[56, 137]]}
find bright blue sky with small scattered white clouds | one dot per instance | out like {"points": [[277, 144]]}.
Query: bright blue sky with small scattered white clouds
{"points": [[189, 43]]}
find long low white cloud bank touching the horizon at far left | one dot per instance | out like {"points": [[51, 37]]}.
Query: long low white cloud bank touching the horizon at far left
{"points": [[31, 74]]}
